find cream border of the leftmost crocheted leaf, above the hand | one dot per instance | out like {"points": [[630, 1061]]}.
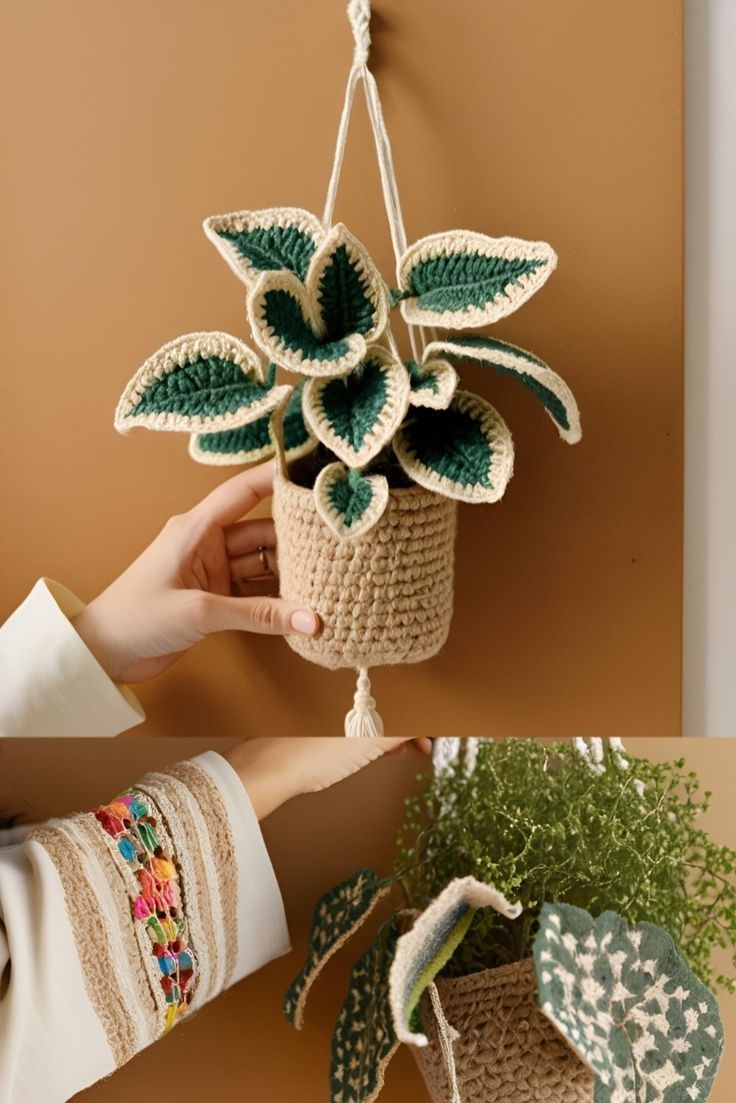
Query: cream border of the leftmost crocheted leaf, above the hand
{"points": [[179, 354]]}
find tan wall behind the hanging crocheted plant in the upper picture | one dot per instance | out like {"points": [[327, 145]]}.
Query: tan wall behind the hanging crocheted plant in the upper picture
{"points": [[126, 123]]}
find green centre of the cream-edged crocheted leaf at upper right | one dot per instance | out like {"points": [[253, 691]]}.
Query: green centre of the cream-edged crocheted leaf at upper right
{"points": [[463, 281]]}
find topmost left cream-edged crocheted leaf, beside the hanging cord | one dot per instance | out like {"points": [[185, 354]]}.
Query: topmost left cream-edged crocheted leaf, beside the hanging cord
{"points": [[265, 241]]}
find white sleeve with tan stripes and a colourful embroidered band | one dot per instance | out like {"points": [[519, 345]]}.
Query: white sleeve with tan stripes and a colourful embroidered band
{"points": [[81, 991]]}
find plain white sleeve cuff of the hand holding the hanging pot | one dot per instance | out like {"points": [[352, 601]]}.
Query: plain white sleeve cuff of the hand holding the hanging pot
{"points": [[50, 682]]}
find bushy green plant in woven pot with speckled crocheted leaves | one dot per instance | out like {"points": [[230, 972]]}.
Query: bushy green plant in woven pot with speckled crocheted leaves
{"points": [[554, 914]]}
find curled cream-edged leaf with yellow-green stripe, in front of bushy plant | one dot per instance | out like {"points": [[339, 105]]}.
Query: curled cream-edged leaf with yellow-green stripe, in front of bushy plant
{"points": [[428, 948]]}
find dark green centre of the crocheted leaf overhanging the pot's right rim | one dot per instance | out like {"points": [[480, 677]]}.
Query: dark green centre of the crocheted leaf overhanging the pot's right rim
{"points": [[451, 444]]}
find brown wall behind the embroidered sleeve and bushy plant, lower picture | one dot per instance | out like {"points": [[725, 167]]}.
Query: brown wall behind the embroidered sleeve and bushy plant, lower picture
{"points": [[240, 1047]]}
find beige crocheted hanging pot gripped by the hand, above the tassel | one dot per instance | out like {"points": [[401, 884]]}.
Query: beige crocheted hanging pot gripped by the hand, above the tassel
{"points": [[386, 597]]}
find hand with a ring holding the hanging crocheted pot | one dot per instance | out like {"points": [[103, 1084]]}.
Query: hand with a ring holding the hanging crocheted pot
{"points": [[184, 586]]}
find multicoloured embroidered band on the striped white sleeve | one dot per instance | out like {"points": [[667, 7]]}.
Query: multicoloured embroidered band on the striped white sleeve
{"points": [[158, 906]]}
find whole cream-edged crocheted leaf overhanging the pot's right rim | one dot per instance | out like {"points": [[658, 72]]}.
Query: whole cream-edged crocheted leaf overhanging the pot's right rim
{"points": [[464, 453]]}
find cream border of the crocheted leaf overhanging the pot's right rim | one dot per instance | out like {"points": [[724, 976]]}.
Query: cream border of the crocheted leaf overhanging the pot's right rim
{"points": [[500, 469]]}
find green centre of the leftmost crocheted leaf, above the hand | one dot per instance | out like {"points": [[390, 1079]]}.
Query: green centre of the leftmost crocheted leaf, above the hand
{"points": [[208, 387]]}
